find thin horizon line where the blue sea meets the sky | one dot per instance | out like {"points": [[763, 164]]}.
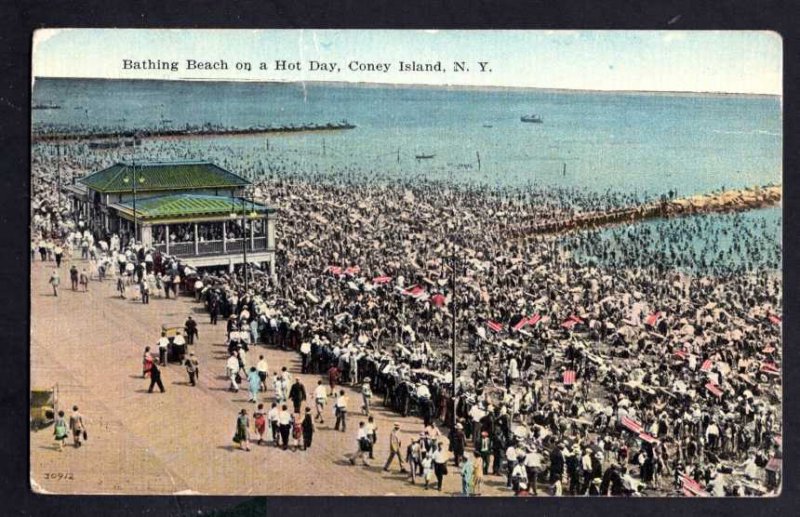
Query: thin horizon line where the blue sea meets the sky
{"points": [[416, 85]]}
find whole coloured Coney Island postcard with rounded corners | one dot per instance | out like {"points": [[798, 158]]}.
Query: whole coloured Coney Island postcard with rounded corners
{"points": [[417, 263]]}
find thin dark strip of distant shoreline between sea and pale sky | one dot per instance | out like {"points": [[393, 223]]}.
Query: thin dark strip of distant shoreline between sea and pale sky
{"points": [[345, 84]]}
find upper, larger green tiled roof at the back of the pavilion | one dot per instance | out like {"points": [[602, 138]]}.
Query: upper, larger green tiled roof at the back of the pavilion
{"points": [[184, 175]]}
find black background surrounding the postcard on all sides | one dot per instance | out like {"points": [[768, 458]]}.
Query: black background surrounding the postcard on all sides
{"points": [[19, 19]]}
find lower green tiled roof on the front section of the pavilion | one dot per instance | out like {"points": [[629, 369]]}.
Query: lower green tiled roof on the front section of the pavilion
{"points": [[191, 205]]}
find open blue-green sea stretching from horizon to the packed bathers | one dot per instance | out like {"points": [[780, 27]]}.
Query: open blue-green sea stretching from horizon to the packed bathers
{"points": [[638, 143]]}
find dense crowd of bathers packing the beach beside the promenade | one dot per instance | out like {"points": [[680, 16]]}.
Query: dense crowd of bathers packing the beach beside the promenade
{"points": [[655, 370]]}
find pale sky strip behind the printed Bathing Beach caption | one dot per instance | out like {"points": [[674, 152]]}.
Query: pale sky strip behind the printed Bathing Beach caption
{"points": [[696, 61]]}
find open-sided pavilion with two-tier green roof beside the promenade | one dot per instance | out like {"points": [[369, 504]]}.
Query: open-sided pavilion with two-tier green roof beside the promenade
{"points": [[193, 210]]}
